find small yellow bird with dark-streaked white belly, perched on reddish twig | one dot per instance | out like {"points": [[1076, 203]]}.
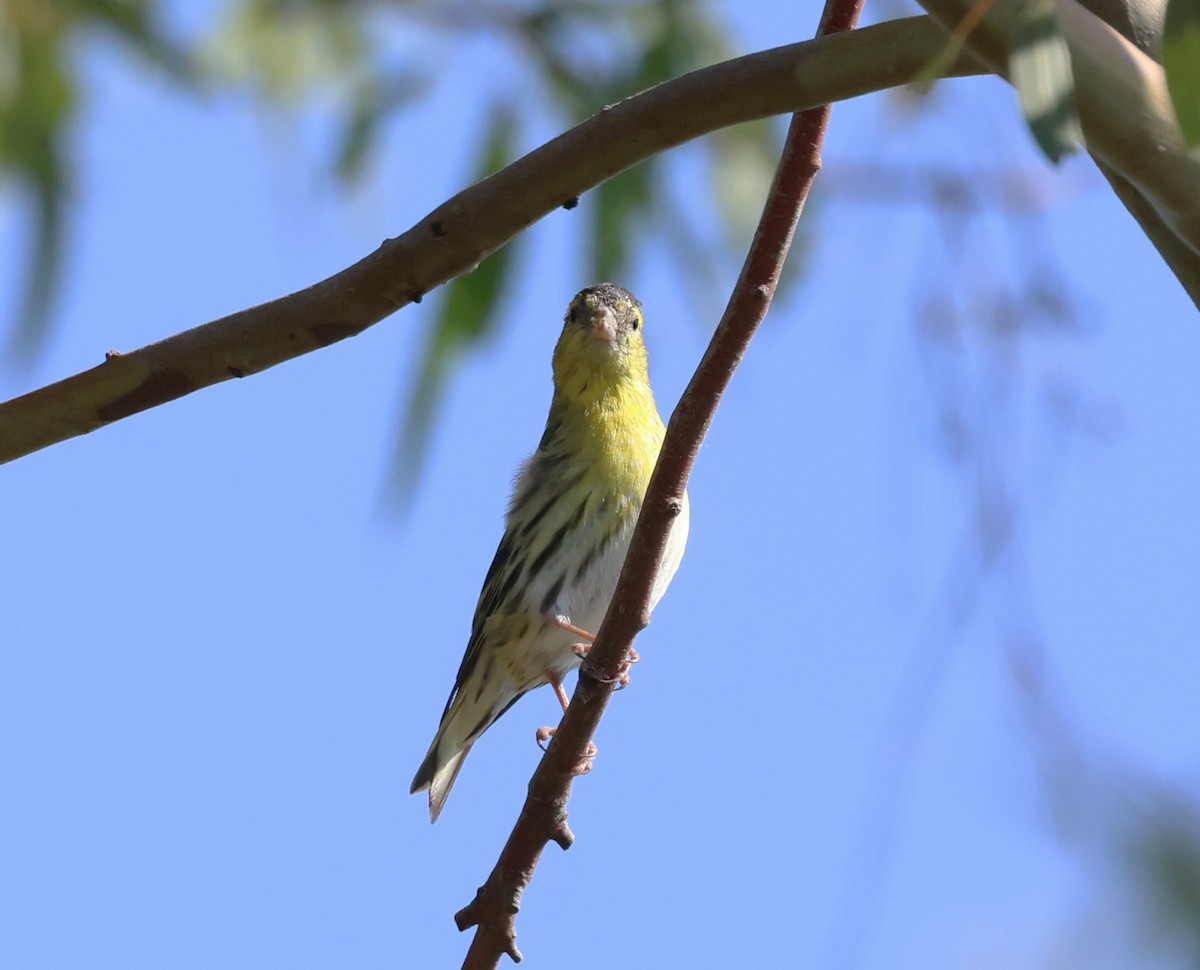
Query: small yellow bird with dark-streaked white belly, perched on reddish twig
{"points": [[568, 528]]}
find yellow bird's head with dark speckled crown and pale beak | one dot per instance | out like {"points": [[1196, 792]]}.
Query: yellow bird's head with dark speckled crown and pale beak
{"points": [[602, 345]]}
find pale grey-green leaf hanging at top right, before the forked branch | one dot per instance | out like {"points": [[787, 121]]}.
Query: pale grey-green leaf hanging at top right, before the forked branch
{"points": [[1040, 69]]}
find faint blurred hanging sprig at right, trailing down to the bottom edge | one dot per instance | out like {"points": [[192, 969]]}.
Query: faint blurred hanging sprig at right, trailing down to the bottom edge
{"points": [[994, 325]]}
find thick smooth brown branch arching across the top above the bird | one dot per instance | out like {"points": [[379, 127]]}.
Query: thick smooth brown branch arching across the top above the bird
{"points": [[454, 238]]}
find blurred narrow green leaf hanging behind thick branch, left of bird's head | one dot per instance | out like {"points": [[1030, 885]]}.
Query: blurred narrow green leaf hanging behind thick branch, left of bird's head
{"points": [[466, 320]]}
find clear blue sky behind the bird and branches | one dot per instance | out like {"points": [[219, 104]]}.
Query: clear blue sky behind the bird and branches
{"points": [[224, 660]]}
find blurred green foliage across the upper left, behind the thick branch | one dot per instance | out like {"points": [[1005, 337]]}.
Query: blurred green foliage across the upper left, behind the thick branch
{"points": [[353, 59]]}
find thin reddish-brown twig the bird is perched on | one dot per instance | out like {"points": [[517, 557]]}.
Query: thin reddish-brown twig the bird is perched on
{"points": [[544, 816]]}
